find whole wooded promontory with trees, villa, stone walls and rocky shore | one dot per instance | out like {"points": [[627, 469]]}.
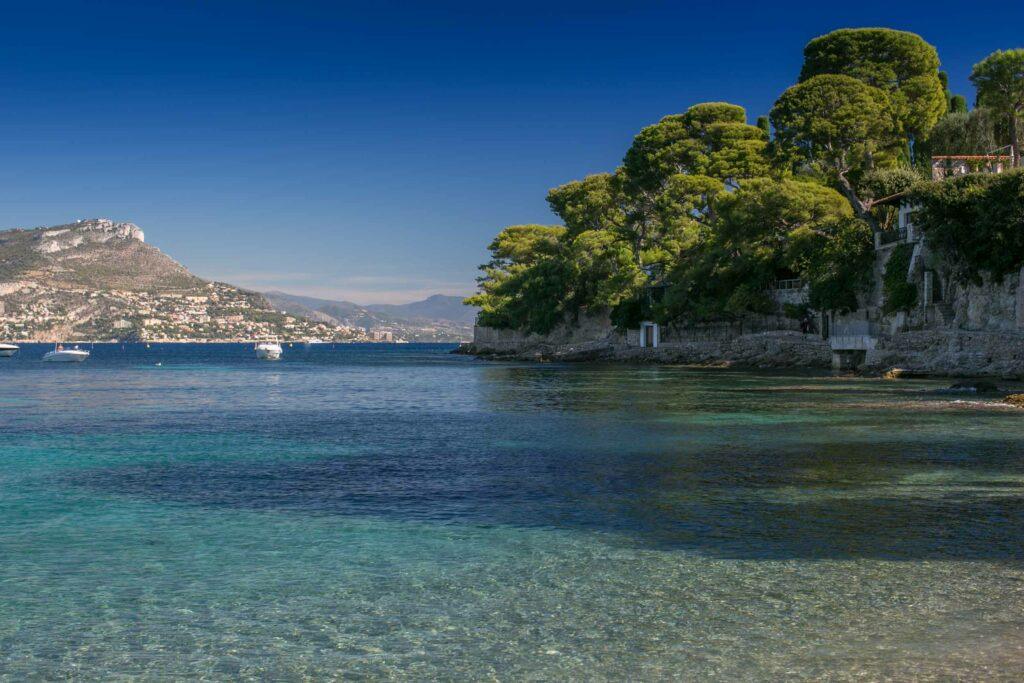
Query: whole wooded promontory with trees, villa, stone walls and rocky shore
{"points": [[869, 222]]}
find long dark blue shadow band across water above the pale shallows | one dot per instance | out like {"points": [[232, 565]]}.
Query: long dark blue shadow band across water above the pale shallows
{"points": [[872, 500]]}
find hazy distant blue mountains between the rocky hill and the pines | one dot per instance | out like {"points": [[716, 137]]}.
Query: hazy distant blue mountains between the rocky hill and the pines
{"points": [[436, 319]]}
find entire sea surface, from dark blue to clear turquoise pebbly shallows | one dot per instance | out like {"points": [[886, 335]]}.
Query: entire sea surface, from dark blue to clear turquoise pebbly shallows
{"points": [[400, 513]]}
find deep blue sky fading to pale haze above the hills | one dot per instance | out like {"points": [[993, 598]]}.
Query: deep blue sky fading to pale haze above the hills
{"points": [[344, 151]]}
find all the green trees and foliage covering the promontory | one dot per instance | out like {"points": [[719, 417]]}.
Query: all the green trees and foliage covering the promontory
{"points": [[712, 211]]}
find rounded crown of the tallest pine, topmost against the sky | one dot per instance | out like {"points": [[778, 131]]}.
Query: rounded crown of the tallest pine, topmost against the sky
{"points": [[902, 64]]}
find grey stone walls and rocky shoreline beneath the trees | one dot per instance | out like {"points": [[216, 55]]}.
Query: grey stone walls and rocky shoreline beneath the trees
{"points": [[976, 330]]}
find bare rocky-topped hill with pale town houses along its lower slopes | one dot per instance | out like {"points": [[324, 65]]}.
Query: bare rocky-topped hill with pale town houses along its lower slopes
{"points": [[99, 280]]}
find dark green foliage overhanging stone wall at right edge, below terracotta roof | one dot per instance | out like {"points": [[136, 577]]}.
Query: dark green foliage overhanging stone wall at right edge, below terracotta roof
{"points": [[976, 223]]}
